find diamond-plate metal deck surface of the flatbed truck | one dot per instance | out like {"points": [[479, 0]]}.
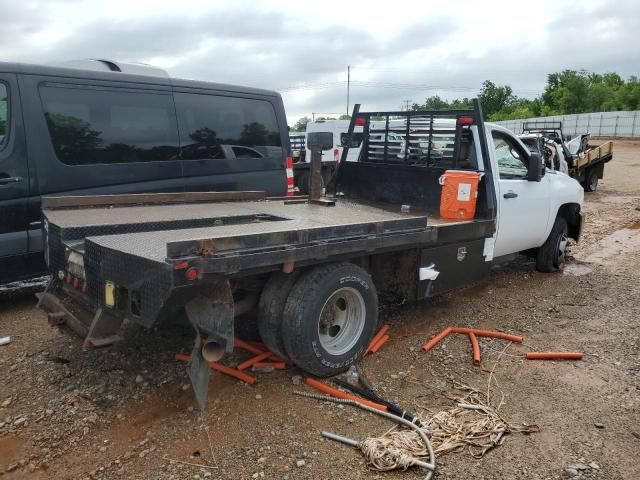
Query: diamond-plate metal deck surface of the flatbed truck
{"points": [[233, 225]]}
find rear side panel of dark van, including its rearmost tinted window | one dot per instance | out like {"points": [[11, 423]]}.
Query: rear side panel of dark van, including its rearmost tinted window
{"points": [[231, 142]]}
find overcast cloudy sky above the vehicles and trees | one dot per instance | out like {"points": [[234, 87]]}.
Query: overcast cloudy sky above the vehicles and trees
{"points": [[397, 50]]}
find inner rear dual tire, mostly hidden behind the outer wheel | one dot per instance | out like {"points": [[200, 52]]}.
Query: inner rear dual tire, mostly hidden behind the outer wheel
{"points": [[271, 307]]}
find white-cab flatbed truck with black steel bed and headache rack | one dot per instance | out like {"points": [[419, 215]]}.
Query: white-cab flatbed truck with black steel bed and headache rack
{"points": [[311, 268]]}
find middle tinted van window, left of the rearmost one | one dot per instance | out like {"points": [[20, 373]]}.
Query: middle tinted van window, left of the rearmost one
{"points": [[95, 125]]}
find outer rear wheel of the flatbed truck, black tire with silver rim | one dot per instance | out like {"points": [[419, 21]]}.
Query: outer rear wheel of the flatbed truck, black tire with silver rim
{"points": [[345, 296]]}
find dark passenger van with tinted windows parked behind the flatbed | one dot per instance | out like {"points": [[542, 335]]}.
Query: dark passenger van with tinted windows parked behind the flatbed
{"points": [[69, 131]]}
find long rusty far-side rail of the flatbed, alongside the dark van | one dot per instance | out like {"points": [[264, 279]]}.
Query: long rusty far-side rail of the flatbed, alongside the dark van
{"points": [[89, 201]]}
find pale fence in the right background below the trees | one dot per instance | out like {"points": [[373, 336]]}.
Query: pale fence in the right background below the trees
{"points": [[599, 124]]}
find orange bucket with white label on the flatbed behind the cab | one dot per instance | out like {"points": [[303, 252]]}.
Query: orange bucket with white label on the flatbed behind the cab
{"points": [[459, 194]]}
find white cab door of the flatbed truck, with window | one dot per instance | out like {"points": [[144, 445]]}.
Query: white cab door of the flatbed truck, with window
{"points": [[523, 206]]}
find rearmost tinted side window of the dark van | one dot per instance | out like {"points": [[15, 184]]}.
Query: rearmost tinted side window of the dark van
{"points": [[213, 126]]}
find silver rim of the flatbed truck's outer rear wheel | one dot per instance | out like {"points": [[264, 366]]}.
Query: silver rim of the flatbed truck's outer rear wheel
{"points": [[341, 321]]}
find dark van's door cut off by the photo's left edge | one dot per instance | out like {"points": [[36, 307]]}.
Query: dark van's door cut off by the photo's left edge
{"points": [[14, 174]]}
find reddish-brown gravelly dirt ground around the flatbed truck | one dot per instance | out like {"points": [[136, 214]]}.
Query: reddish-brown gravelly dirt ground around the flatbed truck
{"points": [[127, 411]]}
